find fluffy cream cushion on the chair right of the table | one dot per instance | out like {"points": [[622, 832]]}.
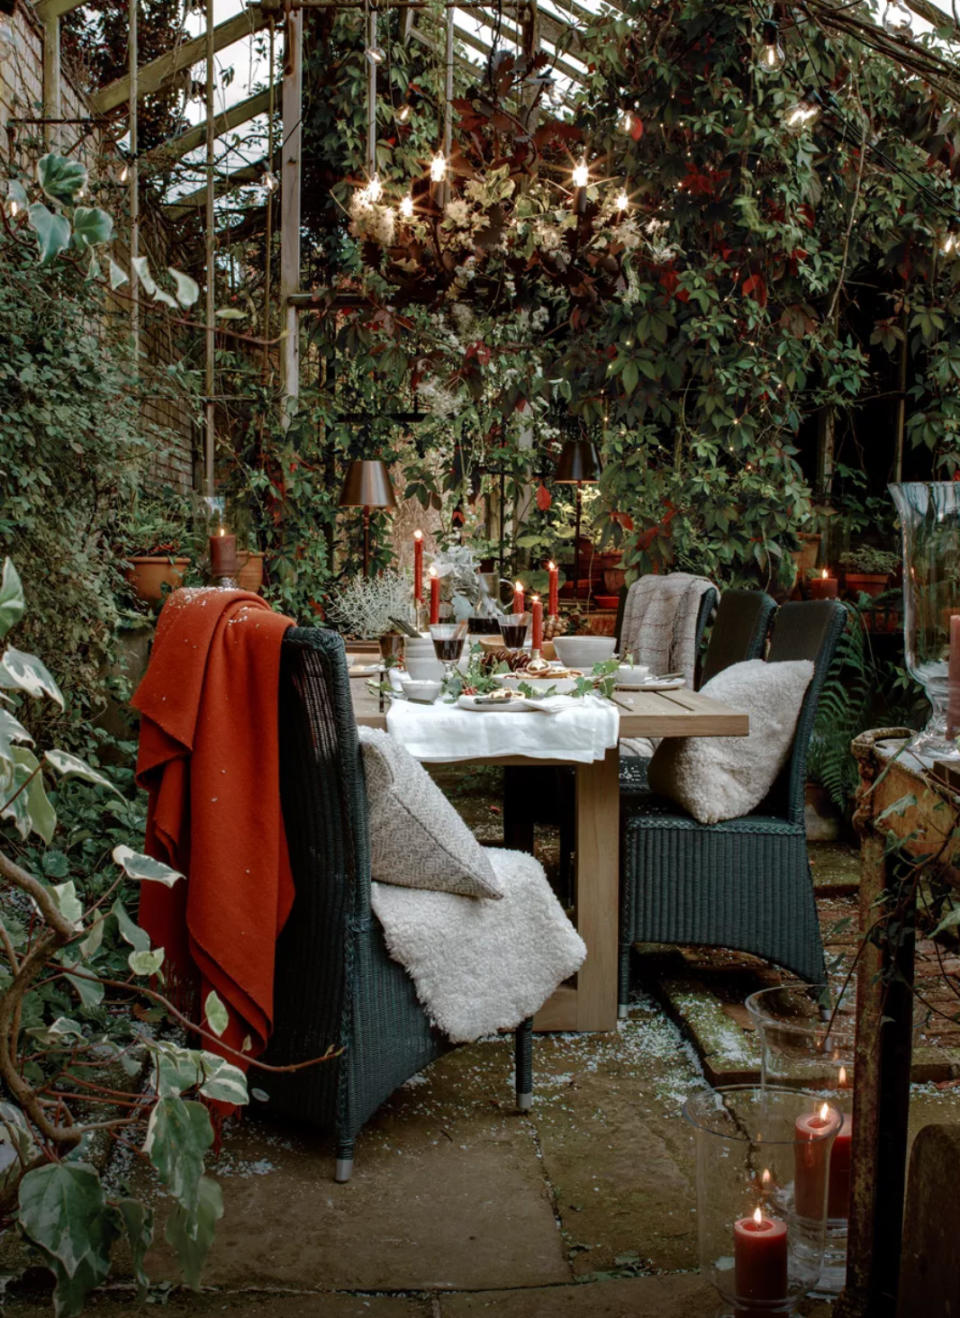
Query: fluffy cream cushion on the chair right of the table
{"points": [[722, 778]]}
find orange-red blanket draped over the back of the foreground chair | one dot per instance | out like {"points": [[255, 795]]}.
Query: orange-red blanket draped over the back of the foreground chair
{"points": [[210, 761]]}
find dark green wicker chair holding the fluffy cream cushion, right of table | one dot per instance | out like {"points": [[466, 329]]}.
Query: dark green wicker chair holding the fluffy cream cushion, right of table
{"points": [[743, 884]]}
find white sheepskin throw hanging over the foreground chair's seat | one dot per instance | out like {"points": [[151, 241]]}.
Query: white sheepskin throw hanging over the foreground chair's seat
{"points": [[482, 965]]}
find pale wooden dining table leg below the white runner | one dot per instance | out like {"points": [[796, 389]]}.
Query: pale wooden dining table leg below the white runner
{"points": [[594, 1006]]}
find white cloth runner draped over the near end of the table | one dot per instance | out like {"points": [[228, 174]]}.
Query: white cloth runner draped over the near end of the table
{"points": [[581, 732]]}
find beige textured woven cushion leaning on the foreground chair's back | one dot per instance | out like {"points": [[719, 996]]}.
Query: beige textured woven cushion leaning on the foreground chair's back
{"points": [[417, 838]]}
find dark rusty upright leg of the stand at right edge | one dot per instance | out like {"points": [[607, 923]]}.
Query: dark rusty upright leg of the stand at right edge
{"points": [[882, 1100]]}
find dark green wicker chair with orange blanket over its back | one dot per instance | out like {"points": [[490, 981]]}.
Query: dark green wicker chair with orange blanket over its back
{"points": [[336, 983]]}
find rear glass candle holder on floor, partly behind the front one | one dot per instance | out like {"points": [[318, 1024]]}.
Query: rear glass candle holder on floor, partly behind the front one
{"points": [[808, 1041]]}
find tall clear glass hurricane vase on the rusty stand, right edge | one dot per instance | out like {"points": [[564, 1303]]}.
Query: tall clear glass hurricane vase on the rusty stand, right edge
{"points": [[930, 521]]}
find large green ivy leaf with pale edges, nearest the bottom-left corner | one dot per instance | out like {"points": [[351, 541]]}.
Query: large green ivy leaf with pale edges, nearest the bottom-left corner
{"points": [[64, 1211]]}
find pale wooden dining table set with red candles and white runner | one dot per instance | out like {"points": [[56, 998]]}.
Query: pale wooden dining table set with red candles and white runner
{"points": [[591, 1002]]}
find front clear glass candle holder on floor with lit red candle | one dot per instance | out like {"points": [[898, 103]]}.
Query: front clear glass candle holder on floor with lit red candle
{"points": [[763, 1172]]}
